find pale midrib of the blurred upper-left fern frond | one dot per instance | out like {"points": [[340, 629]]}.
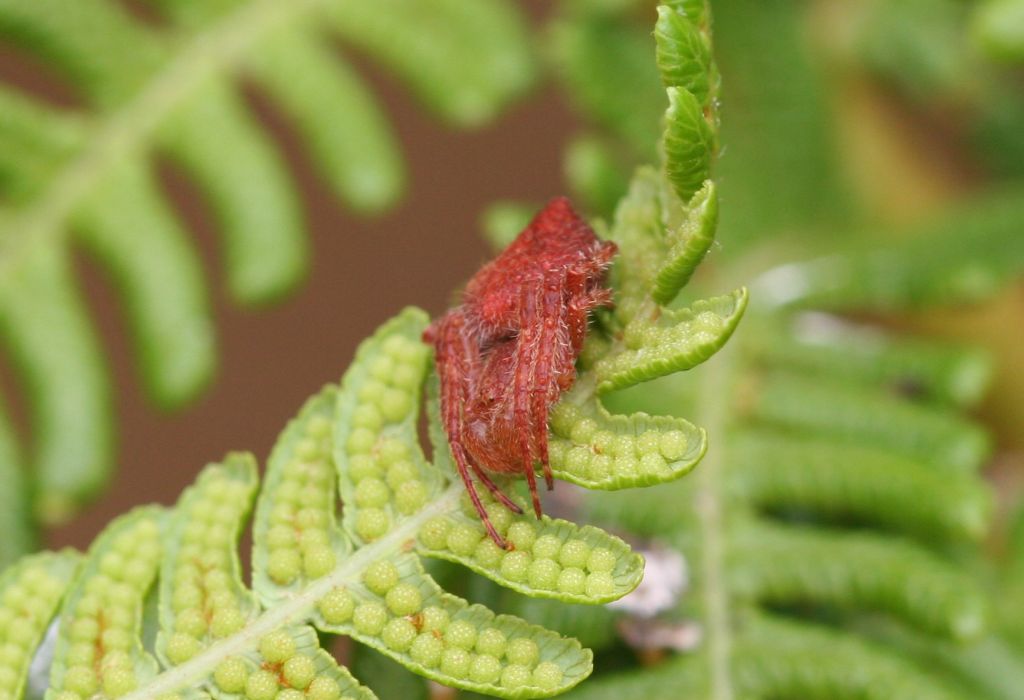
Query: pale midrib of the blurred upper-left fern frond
{"points": [[131, 127]]}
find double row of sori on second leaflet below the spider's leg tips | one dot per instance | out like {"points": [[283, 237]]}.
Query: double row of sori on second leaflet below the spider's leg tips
{"points": [[442, 638]]}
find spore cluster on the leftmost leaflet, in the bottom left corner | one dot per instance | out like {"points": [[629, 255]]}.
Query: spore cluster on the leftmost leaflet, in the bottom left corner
{"points": [[28, 601]]}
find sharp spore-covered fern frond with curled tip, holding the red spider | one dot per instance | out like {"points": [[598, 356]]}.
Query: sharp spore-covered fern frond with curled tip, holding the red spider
{"points": [[364, 577]]}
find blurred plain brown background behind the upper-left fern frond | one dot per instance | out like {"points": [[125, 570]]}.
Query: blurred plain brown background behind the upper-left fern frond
{"points": [[364, 271]]}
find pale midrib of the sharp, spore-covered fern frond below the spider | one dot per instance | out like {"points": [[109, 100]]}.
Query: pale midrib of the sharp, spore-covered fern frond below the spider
{"points": [[295, 610]]}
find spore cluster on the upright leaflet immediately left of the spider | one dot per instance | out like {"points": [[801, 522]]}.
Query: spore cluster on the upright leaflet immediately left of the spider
{"points": [[381, 467]]}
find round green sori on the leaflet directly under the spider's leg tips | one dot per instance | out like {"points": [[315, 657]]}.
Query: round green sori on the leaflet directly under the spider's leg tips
{"points": [[542, 561]]}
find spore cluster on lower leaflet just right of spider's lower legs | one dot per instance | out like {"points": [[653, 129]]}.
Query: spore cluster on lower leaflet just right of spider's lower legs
{"points": [[585, 450]]}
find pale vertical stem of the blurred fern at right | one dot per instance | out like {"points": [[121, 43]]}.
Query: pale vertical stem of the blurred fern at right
{"points": [[708, 504]]}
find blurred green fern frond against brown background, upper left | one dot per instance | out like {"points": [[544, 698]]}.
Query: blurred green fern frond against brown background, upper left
{"points": [[88, 177]]}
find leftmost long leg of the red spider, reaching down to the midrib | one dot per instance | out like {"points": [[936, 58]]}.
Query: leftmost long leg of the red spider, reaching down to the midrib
{"points": [[456, 363]]}
